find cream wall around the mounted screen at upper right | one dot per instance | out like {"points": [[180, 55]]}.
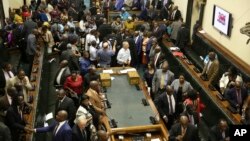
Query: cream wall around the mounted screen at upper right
{"points": [[240, 10]]}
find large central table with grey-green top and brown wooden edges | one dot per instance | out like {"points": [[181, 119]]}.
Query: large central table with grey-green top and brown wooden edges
{"points": [[133, 122]]}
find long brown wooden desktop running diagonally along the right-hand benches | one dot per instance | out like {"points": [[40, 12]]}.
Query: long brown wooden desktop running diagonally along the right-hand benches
{"points": [[222, 105]]}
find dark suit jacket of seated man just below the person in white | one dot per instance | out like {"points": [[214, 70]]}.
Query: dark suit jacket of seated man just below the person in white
{"points": [[232, 96]]}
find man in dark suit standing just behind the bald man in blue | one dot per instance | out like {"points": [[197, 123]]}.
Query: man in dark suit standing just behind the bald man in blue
{"points": [[65, 103]]}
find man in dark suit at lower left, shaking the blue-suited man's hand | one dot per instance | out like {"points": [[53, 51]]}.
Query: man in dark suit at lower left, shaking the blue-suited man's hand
{"points": [[15, 119]]}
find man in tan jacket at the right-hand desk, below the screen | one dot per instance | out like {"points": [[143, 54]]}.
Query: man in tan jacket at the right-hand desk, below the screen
{"points": [[211, 69]]}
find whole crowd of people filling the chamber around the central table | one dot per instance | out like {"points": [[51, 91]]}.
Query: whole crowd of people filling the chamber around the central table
{"points": [[84, 39]]}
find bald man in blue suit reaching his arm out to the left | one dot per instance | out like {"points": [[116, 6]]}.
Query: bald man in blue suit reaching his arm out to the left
{"points": [[61, 129]]}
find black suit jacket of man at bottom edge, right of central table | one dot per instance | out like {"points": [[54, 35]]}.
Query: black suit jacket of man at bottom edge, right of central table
{"points": [[190, 135]]}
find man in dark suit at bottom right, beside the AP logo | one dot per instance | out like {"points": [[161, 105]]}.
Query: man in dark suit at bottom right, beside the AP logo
{"points": [[220, 132]]}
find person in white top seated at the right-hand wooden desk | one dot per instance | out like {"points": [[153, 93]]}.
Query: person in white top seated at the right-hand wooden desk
{"points": [[228, 80]]}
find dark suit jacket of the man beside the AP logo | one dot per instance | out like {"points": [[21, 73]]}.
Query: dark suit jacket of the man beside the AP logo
{"points": [[216, 134]]}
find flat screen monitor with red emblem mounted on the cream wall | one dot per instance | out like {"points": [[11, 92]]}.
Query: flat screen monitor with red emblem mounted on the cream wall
{"points": [[222, 20]]}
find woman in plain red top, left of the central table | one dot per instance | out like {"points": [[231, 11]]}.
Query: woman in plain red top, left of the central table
{"points": [[74, 83]]}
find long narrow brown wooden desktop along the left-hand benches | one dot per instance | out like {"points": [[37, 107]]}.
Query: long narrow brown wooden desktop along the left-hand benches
{"points": [[32, 116]]}
